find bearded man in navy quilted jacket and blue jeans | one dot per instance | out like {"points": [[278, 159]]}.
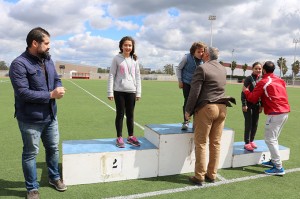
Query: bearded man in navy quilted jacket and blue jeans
{"points": [[36, 87]]}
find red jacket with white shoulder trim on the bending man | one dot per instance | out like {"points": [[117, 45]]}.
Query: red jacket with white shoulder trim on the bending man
{"points": [[272, 92]]}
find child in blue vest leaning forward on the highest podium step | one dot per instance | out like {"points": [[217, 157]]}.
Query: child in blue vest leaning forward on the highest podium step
{"points": [[185, 72]]}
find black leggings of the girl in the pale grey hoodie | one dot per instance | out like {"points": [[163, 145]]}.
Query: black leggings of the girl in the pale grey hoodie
{"points": [[124, 102]]}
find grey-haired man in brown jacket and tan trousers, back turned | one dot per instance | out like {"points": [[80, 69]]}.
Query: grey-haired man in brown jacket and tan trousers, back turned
{"points": [[208, 103]]}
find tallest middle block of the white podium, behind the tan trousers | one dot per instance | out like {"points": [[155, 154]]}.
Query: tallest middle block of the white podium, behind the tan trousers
{"points": [[177, 149]]}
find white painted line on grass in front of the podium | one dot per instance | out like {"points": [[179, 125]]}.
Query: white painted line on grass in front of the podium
{"points": [[188, 188]]}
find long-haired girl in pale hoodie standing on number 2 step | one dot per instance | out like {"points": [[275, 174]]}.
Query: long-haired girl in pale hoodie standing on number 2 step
{"points": [[124, 86]]}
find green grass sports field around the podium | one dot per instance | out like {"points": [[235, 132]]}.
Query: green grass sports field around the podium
{"points": [[82, 116]]}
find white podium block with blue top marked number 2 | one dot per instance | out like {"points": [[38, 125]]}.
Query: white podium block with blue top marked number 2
{"points": [[93, 161]]}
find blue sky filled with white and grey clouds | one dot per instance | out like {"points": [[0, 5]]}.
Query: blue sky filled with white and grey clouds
{"points": [[88, 32]]}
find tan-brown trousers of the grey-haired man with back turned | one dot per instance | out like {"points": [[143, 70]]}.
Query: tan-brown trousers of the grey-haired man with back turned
{"points": [[208, 125]]}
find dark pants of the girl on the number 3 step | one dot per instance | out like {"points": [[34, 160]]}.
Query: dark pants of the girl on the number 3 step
{"points": [[251, 122]]}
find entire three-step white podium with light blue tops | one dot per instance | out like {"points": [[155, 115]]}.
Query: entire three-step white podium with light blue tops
{"points": [[165, 150]]}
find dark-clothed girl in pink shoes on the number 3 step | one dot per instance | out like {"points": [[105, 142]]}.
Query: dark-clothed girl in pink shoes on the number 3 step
{"points": [[251, 111]]}
